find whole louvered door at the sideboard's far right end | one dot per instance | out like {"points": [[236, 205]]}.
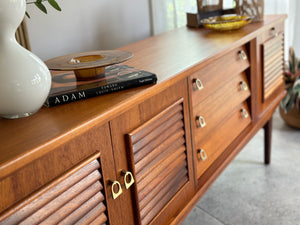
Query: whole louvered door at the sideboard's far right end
{"points": [[267, 69]]}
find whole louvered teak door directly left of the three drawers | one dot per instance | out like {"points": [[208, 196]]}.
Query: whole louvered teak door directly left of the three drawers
{"points": [[153, 138]]}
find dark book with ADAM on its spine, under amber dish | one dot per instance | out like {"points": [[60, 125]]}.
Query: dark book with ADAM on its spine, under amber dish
{"points": [[65, 88]]}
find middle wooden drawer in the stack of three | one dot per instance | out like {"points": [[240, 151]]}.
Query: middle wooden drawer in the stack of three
{"points": [[212, 111]]}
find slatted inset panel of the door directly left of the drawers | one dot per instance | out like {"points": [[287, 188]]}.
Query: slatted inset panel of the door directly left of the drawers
{"points": [[160, 158]]}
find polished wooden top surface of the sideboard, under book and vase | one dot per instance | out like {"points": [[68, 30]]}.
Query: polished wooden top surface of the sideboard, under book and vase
{"points": [[172, 56]]}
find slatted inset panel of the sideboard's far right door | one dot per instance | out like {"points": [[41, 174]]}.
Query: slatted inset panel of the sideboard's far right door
{"points": [[273, 54]]}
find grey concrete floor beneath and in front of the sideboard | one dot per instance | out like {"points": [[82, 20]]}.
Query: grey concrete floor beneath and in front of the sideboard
{"points": [[249, 192]]}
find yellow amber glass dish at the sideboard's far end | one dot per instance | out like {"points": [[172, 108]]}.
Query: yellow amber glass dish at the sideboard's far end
{"points": [[226, 22]]}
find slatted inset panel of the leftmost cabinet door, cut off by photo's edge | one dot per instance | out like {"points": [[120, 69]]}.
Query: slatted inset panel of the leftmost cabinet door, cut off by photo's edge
{"points": [[77, 199]]}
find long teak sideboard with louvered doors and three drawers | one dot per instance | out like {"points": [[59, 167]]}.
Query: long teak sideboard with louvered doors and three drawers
{"points": [[148, 154]]}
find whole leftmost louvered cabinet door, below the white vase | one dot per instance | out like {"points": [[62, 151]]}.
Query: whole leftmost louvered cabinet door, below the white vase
{"points": [[80, 193]]}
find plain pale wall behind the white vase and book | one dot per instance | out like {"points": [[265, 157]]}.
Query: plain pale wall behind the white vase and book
{"points": [[87, 25]]}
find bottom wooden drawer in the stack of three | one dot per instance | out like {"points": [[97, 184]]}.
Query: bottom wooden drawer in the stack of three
{"points": [[208, 149]]}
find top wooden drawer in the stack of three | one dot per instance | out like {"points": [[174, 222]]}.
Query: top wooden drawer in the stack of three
{"points": [[215, 75]]}
